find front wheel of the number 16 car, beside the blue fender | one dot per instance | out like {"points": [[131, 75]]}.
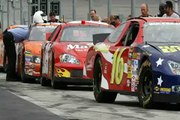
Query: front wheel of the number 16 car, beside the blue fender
{"points": [[145, 87]]}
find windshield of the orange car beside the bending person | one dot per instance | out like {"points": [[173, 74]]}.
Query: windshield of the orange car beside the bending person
{"points": [[38, 33]]}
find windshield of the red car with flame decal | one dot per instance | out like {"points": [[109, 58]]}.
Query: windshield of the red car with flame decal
{"points": [[83, 33]]}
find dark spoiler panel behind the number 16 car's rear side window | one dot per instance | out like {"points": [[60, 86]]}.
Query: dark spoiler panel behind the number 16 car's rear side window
{"points": [[100, 37]]}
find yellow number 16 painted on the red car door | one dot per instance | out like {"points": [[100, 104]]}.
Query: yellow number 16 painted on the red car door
{"points": [[117, 67]]}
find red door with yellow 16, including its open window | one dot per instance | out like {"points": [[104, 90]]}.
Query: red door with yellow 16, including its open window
{"points": [[121, 76]]}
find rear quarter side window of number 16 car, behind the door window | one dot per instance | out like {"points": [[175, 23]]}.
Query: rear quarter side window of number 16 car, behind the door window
{"points": [[113, 37]]}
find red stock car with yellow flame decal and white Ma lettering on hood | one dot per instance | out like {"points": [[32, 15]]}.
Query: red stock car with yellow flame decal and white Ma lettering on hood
{"points": [[64, 55]]}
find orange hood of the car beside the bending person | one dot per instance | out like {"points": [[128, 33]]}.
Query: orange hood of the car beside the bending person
{"points": [[33, 47]]}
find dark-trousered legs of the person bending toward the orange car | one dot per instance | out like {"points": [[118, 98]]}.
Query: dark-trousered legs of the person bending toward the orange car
{"points": [[11, 54]]}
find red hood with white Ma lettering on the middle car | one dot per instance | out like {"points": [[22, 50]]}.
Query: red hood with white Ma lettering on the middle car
{"points": [[78, 50]]}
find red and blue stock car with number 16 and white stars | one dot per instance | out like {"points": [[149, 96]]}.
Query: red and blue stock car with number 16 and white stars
{"points": [[141, 58]]}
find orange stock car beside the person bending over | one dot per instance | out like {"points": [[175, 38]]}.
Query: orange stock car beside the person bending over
{"points": [[29, 51]]}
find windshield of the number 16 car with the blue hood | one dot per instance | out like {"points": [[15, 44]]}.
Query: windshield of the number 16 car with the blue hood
{"points": [[162, 32]]}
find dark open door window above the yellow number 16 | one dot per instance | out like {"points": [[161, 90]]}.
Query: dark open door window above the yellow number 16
{"points": [[131, 34]]}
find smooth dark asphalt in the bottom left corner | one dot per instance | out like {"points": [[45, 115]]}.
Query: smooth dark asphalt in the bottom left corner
{"points": [[15, 108]]}
